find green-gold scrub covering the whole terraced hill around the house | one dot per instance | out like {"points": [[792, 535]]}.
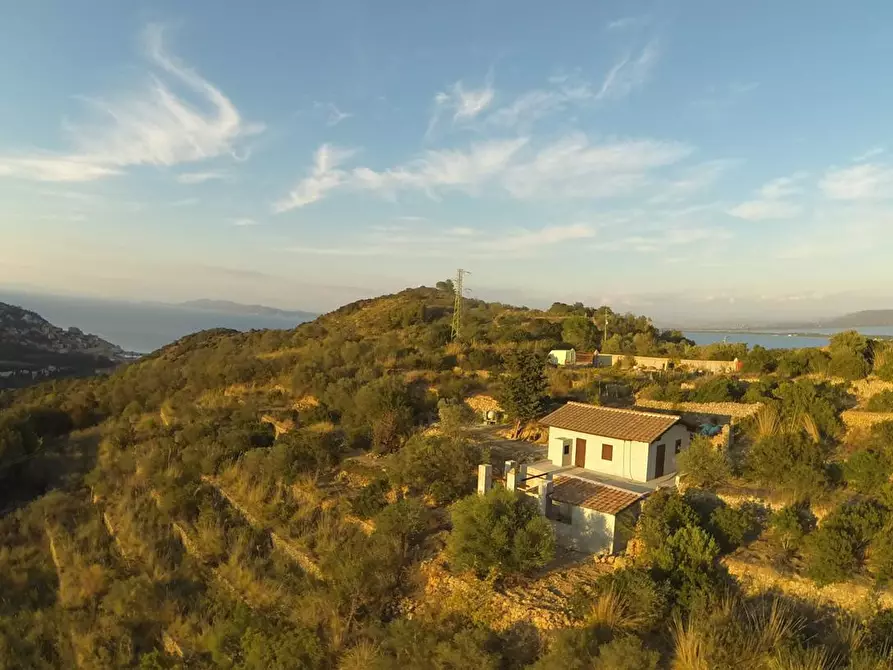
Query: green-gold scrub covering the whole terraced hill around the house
{"points": [[274, 499]]}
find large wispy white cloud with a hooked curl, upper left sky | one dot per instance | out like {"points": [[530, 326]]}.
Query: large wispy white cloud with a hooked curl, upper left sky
{"points": [[153, 127]]}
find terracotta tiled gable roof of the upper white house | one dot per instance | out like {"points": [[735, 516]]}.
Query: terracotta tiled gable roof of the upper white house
{"points": [[621, 424]]}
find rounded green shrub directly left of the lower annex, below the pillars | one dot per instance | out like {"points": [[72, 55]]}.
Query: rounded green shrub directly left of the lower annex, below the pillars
{"points": [[500, 533]]}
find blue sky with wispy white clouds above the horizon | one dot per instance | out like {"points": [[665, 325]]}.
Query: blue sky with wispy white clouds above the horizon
{"points": [[678, 158]]}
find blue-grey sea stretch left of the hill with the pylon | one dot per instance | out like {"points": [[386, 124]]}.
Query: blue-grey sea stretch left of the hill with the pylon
{"points": [[136, 326]]}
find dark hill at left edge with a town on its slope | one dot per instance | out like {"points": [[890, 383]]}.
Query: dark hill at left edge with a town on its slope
{"points": [[32, 349]]}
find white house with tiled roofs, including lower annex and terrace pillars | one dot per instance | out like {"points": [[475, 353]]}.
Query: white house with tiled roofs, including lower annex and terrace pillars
{"points": [[602, 463]]}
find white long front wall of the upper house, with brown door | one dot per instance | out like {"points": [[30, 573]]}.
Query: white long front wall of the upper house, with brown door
{"points": [[629, 459]]}
